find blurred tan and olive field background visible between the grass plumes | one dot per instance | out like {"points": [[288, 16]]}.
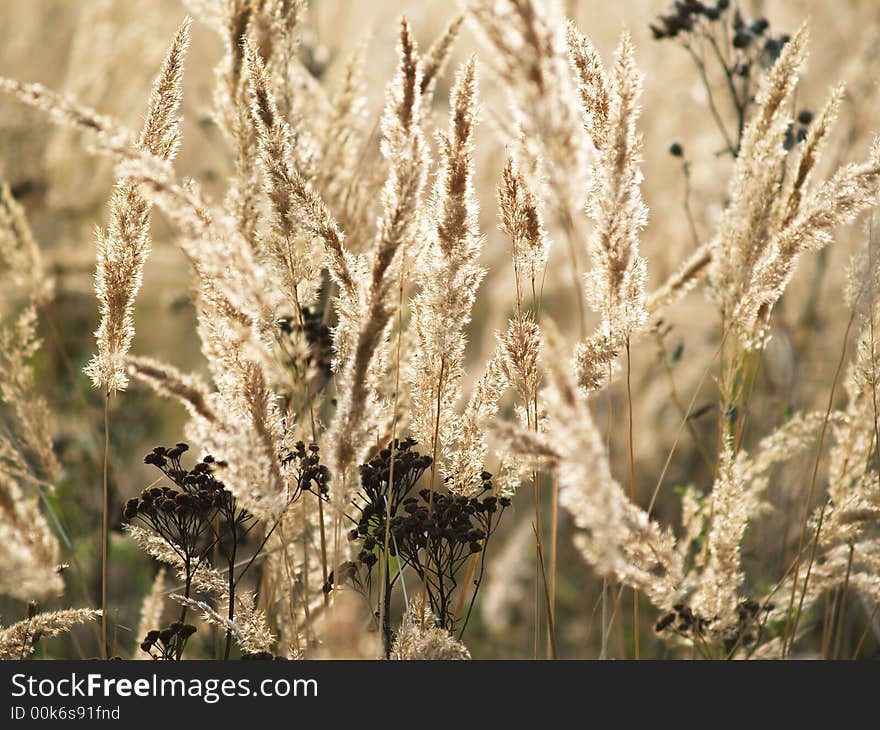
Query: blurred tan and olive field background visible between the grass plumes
{"points": [[106, 52]]}
